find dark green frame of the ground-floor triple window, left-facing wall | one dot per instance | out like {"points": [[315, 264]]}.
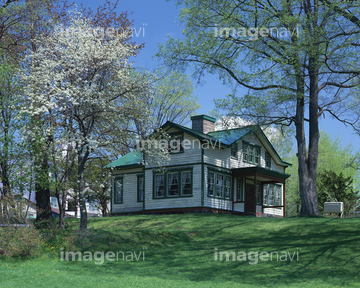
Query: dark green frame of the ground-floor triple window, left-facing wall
{"points": [[165, 173]]}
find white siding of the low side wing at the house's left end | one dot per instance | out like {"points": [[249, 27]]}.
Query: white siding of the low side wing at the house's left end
{"points": [[130, 203]]}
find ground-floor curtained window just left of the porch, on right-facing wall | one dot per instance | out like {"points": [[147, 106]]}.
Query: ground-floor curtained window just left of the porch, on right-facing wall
{"points": [[219, 185]]}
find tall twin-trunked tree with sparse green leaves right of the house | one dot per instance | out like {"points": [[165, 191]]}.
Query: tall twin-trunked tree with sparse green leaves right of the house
{"points": [[297, 60]]}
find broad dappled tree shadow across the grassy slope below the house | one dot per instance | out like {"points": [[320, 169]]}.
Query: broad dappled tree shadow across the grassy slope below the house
{"points": [[183, 247]]}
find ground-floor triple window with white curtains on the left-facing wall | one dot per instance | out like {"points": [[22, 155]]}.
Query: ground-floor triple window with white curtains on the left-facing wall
{"points": [[173, 184]]}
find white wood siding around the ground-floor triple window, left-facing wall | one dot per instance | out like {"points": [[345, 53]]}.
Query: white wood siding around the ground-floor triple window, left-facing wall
{"points": [[174, 202]]}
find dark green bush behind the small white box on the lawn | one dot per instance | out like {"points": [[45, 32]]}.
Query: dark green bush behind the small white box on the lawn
{"points": [[334, 187]]}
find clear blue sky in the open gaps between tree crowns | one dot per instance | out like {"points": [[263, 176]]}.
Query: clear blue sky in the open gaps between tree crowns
{"points": [[155, 20]]}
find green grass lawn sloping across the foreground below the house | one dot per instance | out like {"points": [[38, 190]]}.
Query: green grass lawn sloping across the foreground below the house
{"points": [[179, 252]]}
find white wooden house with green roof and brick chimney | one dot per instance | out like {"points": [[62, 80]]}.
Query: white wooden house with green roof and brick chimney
{"points": [[231, 171]]}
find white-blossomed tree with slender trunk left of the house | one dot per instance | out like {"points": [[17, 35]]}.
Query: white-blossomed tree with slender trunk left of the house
{"points": [[86, 89]]}
